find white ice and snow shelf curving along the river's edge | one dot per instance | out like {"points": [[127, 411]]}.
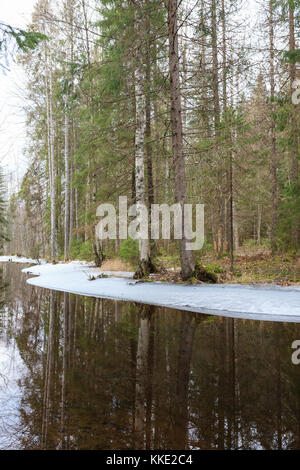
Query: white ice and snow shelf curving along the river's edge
{"points": [[263, 302]]}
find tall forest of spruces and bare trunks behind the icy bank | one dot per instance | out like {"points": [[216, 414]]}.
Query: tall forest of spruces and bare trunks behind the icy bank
{"points": [[162, 102]]}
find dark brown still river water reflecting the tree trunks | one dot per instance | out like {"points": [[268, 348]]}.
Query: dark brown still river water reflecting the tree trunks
{"points": [[85, 373]]}
